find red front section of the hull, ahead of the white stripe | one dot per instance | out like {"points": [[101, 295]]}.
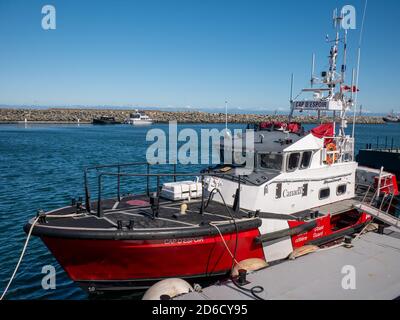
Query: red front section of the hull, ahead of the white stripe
{"points": [[120, 260]]}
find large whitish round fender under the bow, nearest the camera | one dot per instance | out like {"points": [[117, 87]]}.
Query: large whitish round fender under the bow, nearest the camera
{"points": [[169, 287]]}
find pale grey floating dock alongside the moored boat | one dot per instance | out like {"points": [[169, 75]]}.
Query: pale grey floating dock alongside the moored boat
{"points": [[373, 261]]}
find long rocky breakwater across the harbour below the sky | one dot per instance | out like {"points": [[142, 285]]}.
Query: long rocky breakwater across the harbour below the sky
{"points": [[60, 115]]}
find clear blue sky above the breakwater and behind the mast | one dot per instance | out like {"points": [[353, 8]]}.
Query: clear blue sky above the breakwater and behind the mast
{"points": [[187, 53]]}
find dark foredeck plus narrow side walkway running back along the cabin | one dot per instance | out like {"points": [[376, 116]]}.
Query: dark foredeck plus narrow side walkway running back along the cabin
{"points": [[135, 212]]}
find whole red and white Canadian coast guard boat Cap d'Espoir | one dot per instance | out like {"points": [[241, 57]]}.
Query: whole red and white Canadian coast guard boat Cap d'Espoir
{"points": [[301, 189]]}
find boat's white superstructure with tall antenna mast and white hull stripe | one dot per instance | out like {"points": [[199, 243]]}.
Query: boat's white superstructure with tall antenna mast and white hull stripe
{"points": [[296, 172]]}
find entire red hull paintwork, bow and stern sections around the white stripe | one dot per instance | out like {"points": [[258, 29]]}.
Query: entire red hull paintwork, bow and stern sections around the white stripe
{"points": [[139, 263]]}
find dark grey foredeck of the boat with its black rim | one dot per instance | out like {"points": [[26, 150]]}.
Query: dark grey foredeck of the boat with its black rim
{"points": [[134, 215]]}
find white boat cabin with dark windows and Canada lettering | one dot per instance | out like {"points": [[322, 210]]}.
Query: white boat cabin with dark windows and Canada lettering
{"points": [[291, 171]]}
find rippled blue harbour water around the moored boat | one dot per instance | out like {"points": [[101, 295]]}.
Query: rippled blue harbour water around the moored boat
{"points": [[41, 168]]}
